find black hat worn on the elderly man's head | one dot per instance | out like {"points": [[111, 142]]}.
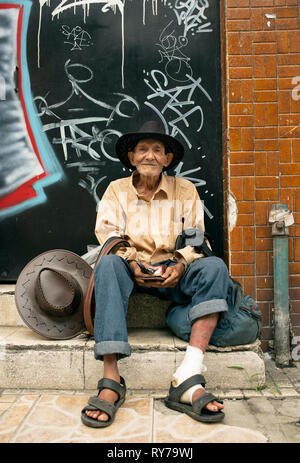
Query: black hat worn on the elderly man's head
{"points": [[150, 129]]}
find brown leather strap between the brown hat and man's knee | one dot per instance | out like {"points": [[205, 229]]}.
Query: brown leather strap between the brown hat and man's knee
{"points": [[89, 299]]}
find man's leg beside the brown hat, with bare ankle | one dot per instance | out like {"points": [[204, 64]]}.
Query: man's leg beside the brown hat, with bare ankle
{"points": [[113, 286]]}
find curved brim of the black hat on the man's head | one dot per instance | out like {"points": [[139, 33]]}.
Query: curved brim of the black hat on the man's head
{"points": [[128, 141]]}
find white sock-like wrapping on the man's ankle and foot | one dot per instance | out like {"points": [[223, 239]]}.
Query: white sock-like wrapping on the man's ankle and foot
{"points": [[192, 364]]}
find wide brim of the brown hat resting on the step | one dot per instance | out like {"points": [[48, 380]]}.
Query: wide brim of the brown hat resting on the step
{"points": [[43, 323]]}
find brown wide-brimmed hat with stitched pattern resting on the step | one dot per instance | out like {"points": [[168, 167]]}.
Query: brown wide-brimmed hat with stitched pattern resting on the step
{"points": [[50, 294]]}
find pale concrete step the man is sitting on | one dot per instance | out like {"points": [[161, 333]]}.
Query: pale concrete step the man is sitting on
{"points": [[29, 361]]}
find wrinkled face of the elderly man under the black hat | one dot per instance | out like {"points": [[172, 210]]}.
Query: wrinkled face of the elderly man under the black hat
{"points": [[149, 157]]}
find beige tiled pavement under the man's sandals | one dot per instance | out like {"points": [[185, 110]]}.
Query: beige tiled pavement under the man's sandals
{"points": [[268, 416]]}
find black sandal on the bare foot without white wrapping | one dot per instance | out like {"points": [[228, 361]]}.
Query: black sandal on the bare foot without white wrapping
{"points": [[97, 404]]}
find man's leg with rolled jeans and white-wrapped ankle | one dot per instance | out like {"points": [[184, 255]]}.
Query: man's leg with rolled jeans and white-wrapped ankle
{"points": [[206, 284]]}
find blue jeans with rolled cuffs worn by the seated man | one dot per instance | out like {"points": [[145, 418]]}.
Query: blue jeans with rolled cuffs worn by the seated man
{"points": [[201, 291]]}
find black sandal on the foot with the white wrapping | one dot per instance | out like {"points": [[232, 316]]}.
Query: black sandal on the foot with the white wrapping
{"points": [[196, 410]]}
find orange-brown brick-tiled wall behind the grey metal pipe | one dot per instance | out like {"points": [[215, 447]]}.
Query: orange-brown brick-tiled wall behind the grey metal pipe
{"points": [[261, 56]]}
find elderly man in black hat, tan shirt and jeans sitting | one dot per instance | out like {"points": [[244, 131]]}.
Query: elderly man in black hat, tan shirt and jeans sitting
{"points": [[149, 209]]}
